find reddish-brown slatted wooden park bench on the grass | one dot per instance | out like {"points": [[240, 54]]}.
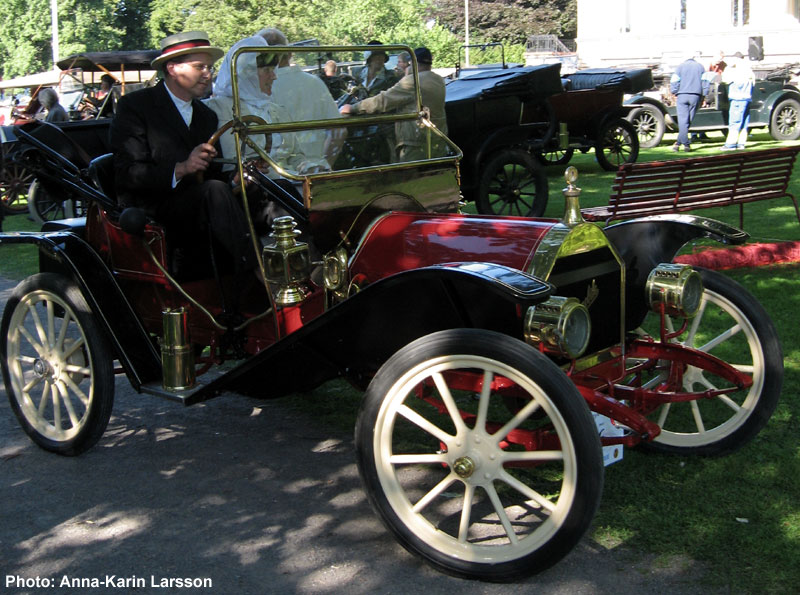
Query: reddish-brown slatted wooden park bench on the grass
{"points": [[735, 178]]}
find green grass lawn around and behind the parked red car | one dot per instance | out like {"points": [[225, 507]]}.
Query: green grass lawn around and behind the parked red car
{"points": [[739, 514]]}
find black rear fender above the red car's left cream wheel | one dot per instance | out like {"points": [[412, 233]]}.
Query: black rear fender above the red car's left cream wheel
{"points": [[65, 253]]}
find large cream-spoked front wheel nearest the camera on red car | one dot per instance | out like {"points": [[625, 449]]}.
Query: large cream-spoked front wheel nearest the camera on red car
{"points": [[443, 464]]}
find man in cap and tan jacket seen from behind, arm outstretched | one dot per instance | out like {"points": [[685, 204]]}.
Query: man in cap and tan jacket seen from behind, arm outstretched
{"points": [[411, 142]]}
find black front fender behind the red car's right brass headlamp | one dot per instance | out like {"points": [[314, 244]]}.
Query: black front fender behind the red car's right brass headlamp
{"points": [[646, 242]]}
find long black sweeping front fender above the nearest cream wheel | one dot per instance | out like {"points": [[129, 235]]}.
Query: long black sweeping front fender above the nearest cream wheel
{"points": [[355, 337]]}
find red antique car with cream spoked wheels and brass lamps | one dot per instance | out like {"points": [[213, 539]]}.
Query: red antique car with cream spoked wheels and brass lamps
{"points": [[490, 349]]}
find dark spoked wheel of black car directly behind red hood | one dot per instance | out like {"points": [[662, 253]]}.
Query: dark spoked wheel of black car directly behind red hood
{"points": [[512, 183]]}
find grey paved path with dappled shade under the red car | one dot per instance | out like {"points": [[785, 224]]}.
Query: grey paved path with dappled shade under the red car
{"points": [[248, 494]]}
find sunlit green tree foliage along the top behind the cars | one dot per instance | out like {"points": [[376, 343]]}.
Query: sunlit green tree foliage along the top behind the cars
{"points": [[102, 25]]}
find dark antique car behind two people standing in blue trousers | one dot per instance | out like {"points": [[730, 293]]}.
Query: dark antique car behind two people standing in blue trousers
{"points": [[775, 106]]}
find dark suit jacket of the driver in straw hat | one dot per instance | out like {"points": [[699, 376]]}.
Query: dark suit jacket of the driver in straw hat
{"points": [[148, 137]]}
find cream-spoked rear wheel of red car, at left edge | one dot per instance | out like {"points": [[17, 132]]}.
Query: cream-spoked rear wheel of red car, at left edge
{"points": [[56, 365]]}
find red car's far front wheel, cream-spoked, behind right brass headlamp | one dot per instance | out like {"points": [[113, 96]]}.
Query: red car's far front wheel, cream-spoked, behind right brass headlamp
{"points": [[732, 325]]}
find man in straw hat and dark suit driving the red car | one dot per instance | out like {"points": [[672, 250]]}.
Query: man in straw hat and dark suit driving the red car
{"points": [[162, 159]]}
